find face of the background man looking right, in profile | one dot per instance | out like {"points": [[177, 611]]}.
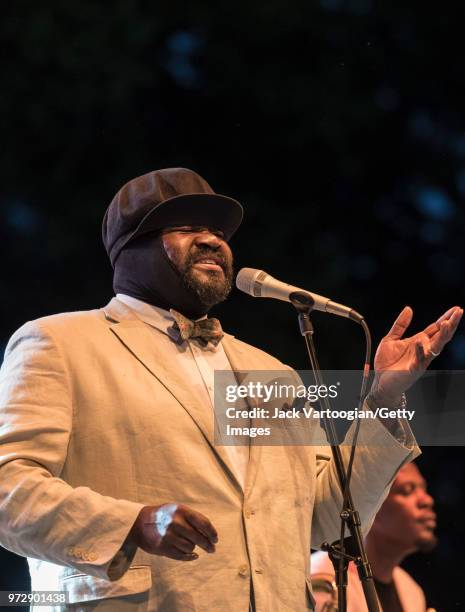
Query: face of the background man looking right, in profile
{"points": [[407, 517]]}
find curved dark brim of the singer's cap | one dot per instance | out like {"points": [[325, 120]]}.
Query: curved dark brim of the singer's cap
{"points": [[210, 210]]}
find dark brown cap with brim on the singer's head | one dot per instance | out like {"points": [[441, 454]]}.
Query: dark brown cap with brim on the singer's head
{"points": [[163, 198]]}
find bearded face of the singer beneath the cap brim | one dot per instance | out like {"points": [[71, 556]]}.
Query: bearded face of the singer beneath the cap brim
{"points": [[204, 260]]}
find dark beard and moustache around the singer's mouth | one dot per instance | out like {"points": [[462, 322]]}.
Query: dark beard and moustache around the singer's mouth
{"points": [[216, 287]]}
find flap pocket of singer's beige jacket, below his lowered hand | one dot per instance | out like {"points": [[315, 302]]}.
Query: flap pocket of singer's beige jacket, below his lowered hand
{"points": [[82, 587]]}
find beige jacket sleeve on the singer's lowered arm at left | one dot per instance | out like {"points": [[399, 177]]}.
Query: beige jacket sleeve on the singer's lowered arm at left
{"points": [[41, 515]]}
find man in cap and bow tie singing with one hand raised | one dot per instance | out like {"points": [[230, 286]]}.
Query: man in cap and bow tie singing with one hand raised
{"points": [[110, 481]]}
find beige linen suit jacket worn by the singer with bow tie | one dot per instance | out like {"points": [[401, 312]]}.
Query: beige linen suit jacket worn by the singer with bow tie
{"points": [[95, 424]]}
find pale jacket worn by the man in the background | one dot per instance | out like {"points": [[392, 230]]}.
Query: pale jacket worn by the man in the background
{"points": [[410, 593]]}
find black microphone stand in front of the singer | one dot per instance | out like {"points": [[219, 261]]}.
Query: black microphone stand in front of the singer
{"points": [[349, 516]]}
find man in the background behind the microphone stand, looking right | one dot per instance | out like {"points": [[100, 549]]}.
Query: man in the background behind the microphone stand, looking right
{"points": [[404, 525]]}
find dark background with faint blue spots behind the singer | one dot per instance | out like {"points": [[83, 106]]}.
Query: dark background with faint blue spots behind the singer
{"points": [[339, 124]]}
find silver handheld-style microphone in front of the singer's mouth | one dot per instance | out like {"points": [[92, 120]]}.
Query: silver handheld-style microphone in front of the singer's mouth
{"points": [[258, 283]]}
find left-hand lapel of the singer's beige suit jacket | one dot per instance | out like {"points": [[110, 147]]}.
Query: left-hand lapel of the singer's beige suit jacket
{"points": [[137, 337]]}
